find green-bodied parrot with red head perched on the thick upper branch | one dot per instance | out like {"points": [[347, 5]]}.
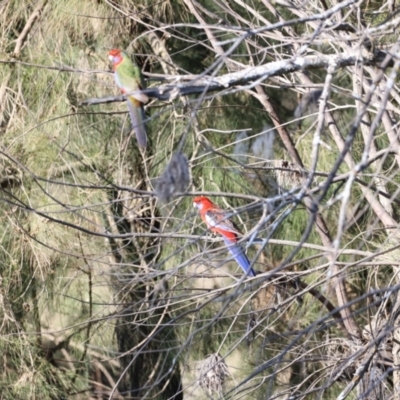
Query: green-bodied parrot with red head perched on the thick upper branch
{"points": [[129, 79]]}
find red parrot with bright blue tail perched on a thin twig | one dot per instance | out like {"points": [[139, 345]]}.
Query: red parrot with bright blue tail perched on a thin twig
{"points": [[217, 221]]}
